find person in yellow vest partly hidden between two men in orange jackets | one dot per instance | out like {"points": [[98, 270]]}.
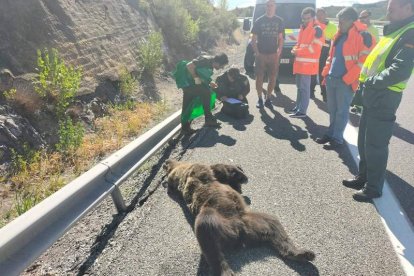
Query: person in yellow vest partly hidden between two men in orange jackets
{"points": [[329, 31]]}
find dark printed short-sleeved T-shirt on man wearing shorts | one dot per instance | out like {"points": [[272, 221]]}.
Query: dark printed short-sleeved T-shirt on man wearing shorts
{"points": [[267, 30]]}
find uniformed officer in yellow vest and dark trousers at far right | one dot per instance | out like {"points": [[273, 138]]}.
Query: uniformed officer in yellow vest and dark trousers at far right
{"points": [[383, 78]]}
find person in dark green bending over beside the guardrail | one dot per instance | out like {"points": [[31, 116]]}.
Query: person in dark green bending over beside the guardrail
{"points": [[194, 78]]}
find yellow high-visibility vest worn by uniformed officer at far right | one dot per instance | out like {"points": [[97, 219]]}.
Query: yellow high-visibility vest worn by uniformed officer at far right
{"points": [[375, 62]]}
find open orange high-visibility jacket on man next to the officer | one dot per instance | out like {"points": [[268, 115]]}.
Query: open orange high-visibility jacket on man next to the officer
{"points": [[354, 51]]}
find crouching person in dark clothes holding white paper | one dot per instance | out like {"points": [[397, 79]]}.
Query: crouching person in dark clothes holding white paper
{"points": [[232, 89]]}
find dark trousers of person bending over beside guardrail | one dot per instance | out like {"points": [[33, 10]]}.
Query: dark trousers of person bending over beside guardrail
{"points": [[192, 92]]}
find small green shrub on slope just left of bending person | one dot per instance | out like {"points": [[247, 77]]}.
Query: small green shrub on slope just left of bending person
{"points": [[150, 53]]}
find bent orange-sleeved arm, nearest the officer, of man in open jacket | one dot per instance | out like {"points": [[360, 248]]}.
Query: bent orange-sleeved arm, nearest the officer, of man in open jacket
{"points": [[366, 46]]}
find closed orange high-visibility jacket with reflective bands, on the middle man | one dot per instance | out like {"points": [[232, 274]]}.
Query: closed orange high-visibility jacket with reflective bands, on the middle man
{"points": [[308, 50]]}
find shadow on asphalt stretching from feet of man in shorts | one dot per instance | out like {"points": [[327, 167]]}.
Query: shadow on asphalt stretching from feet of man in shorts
{"points": [[280, 128]]}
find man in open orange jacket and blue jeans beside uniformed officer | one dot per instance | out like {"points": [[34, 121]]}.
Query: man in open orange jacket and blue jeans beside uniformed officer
{"points": [[351, 45]]}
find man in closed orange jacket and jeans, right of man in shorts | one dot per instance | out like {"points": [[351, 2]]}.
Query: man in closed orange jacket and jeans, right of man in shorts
{"points": [[307, 52]]}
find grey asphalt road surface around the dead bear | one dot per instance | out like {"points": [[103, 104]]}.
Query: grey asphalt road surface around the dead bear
{"points": [[290, 176]]}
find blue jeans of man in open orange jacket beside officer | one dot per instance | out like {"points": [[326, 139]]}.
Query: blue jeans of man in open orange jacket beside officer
{"points": [[339, 96]]}
